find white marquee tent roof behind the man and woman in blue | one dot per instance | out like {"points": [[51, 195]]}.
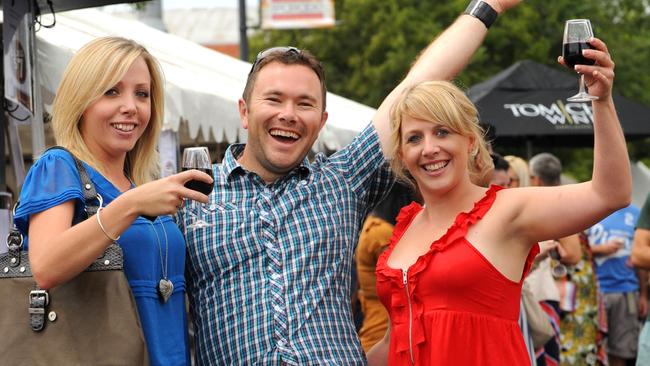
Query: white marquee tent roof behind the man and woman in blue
{"points": [[202, 86]]}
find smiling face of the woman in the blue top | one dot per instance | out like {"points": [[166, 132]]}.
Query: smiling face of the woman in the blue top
{"points": [[112, 124]]}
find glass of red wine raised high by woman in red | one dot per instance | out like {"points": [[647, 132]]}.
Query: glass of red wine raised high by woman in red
{"points": [[577, 33]]}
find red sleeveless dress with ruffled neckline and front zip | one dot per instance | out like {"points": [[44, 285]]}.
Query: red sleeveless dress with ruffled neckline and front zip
{"points": [[452, 306]]}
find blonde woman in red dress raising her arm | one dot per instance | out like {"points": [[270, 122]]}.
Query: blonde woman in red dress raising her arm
{"points": [[451, 277]]}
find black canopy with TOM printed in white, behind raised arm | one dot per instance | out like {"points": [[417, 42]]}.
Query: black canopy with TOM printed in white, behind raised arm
{"points": [[528, 101]]}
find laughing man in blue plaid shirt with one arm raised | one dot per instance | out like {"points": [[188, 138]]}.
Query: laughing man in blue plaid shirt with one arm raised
{"points": [[270, 256]]}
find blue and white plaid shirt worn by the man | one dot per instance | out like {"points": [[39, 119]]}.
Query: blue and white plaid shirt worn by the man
{"points": [[269, 281]]}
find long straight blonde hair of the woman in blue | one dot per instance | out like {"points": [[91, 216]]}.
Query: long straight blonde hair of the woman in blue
{"points": [[97, 67]]}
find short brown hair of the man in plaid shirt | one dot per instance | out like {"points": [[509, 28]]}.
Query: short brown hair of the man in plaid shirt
{"points": [[287, 56]]}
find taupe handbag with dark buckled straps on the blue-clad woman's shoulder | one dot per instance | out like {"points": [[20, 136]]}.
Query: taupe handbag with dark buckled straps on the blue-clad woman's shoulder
{"points": [[90, 320]]}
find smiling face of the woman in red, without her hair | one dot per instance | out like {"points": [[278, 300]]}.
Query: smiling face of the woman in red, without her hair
{"points": [[435, 156]]}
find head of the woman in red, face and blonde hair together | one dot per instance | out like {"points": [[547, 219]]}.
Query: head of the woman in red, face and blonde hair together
{"points": [[447, 123]]}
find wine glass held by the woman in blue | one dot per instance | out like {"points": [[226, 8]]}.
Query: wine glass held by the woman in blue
{"points": [[197, 158]]}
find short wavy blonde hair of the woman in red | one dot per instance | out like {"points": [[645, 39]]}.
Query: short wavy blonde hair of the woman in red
{"points": [[440, 102]]}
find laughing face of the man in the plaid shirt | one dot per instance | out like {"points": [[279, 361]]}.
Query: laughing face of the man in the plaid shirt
{"points": [[283, 119]]}
